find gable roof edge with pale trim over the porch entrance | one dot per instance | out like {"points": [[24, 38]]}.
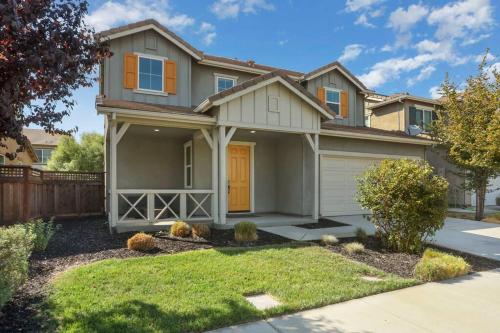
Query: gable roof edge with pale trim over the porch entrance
{"points": [[260, 81]]}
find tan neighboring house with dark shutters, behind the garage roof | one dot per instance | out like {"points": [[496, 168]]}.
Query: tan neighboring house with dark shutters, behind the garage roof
{"points": [[407, 113]]}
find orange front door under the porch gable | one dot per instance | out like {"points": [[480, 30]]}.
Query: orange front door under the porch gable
{"points": [[238, 177]]}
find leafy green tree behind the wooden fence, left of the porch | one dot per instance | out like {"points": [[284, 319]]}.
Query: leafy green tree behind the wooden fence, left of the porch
{"points": [[88, 155]]}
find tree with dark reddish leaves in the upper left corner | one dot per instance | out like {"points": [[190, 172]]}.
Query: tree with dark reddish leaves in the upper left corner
{"points": [[46, 52]]}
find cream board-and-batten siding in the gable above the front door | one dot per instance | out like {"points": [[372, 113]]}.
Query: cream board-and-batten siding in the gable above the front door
{"points": [[291, 114]]}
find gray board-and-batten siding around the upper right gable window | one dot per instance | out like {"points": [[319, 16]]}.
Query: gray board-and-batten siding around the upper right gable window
{"points": [[336, 80]]}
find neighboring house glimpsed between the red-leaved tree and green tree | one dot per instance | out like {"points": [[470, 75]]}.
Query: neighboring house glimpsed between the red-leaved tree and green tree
{"points": [[43, 144]]}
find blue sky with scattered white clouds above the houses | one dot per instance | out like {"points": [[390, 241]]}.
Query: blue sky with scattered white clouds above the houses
{"points": [[392, 46]]}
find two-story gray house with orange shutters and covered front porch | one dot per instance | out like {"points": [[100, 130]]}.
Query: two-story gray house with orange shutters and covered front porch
{"points": [[205, 138]]}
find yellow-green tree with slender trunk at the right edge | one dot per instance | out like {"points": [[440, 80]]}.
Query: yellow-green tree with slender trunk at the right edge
{"points": [[468, 125]]}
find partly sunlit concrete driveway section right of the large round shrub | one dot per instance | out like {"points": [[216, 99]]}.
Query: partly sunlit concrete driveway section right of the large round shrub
{"points": [[479, 238]]}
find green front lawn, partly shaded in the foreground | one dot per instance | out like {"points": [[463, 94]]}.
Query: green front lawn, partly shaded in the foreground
{"points": [[200, 290]]}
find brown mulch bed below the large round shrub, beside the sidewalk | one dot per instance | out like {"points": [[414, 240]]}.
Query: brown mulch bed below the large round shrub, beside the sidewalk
{"points": [[403, 264]]}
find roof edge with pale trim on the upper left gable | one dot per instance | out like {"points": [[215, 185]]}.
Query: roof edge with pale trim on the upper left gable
{"points": [[155, 25]]}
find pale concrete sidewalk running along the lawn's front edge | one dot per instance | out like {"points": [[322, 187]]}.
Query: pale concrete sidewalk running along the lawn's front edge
{"points": [[468, 304]]}
